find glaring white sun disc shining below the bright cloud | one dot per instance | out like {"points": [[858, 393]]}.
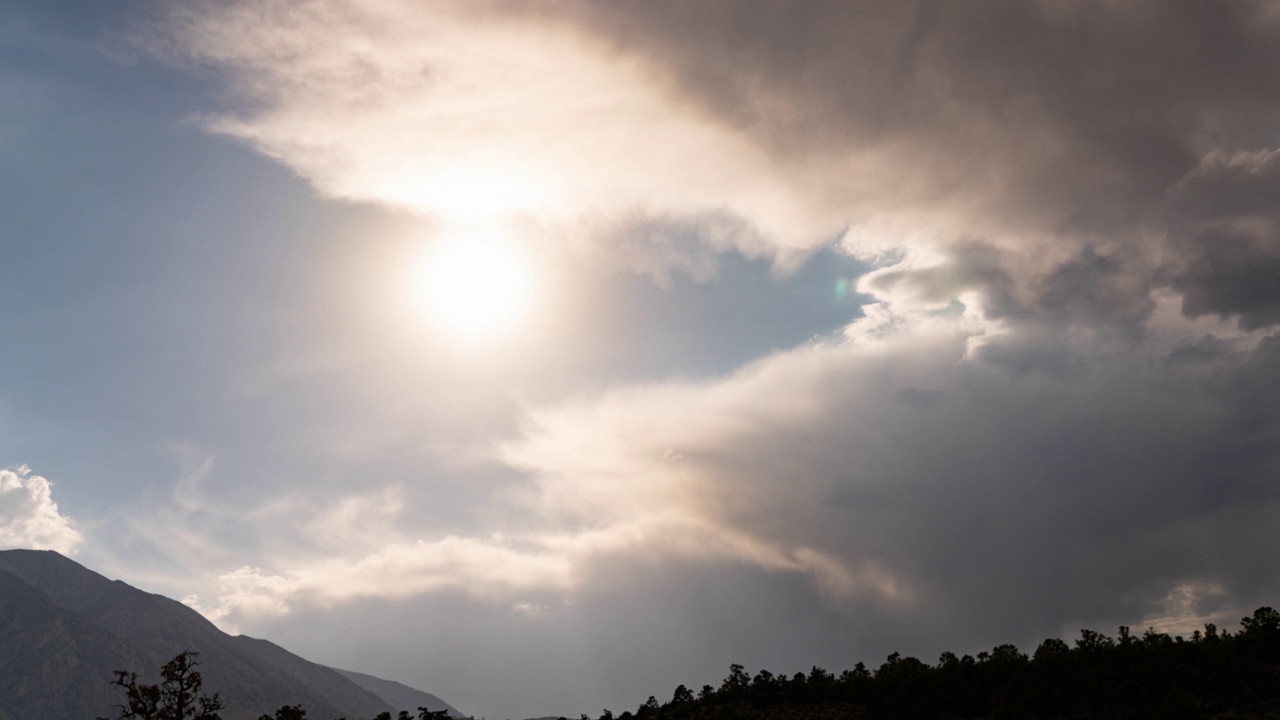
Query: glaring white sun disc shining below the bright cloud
{"points": [[476, 290]]}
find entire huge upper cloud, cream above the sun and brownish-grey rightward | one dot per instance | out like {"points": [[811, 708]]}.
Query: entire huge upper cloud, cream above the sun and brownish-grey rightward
{"points": [[1099, 152]]}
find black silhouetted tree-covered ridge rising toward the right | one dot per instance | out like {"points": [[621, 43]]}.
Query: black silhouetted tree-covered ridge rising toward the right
{"points": [[1212, 675]]}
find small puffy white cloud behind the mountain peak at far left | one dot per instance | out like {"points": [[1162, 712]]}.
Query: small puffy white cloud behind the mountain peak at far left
{"points": [[29, 516]]}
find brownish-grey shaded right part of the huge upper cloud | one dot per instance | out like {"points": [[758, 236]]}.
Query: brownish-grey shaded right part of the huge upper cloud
{"points": [[1092, 124]]}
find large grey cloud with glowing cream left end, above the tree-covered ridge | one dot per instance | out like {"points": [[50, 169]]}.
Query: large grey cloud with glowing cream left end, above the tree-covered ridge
{"points": [[996, 498]]}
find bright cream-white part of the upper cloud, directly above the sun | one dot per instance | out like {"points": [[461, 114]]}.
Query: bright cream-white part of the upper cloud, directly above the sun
{"points": [[461, 115]]}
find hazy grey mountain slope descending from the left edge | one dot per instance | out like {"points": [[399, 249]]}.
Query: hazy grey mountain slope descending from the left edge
{"points": [[65, 630]]}
